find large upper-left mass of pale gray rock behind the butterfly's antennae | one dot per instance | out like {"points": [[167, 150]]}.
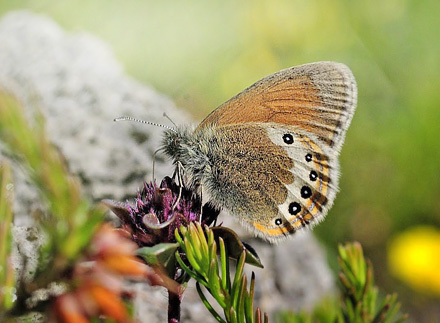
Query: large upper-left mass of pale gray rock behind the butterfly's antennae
{"points": [[80, 87]]}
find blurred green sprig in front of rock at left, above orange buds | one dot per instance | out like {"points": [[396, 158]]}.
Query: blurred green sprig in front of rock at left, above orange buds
{"points": [[67, 222]]}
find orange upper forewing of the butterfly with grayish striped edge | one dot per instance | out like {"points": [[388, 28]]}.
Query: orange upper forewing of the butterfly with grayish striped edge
{"points": [[319, 98]]}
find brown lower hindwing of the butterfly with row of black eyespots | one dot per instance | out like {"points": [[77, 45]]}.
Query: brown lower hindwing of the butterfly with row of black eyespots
{"points": [[275, 179]]}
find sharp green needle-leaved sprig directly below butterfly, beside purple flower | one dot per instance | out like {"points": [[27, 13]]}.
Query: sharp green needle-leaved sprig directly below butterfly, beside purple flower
{"points": [[232, 296]]}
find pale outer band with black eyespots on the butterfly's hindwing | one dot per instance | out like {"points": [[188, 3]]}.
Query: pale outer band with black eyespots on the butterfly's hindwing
{"points": [[313, 189]]}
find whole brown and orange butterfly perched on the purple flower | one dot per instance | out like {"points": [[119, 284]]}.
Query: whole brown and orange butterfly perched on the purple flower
{"points": [[269, 155]]}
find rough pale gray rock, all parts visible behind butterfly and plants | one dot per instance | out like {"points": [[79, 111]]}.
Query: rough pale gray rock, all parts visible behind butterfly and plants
{"points": [[80, 87]]}
